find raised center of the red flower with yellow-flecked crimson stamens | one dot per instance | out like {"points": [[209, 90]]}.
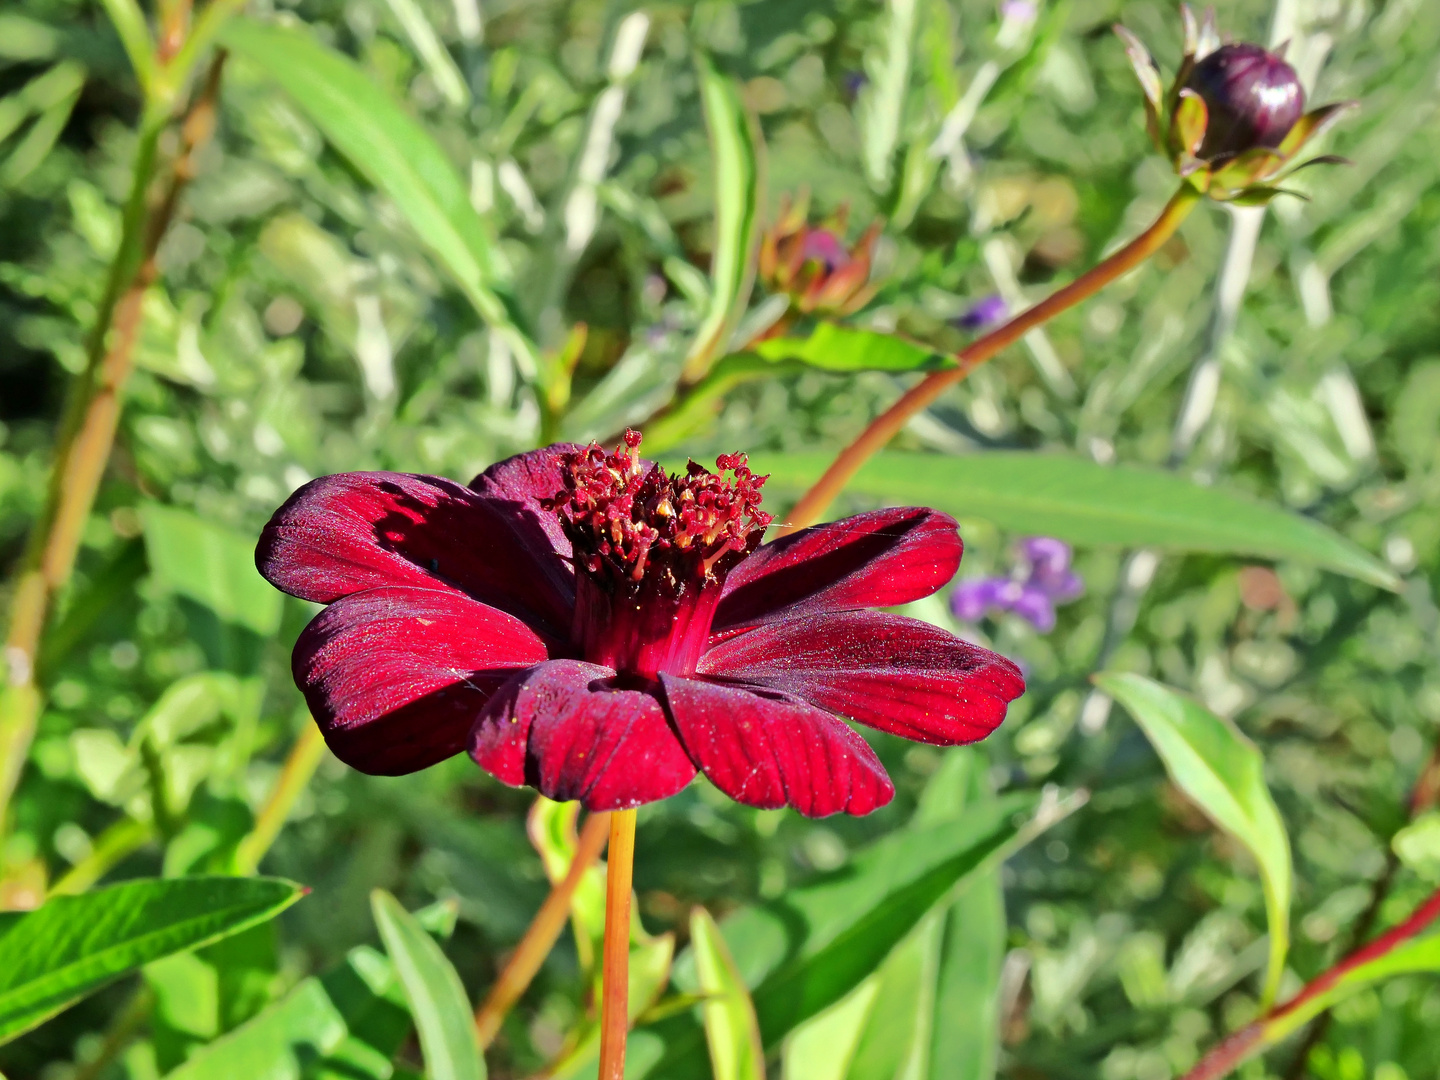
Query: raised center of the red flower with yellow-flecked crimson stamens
{"points": [[652, 552]]}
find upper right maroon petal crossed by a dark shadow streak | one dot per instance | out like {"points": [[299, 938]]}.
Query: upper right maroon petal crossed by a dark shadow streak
{"points": [[870, 561]]}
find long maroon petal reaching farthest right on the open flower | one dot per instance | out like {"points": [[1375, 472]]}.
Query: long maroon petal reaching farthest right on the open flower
{"points": [[898, 675]]}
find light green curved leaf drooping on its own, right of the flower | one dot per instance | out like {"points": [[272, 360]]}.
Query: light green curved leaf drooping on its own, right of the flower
{"points": [[1223, 773]]}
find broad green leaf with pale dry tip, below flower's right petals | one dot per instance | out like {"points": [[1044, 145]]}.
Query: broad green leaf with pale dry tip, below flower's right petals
{"points": [[813, 947]]}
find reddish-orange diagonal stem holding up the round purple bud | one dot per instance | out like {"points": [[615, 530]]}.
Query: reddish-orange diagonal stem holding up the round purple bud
{"points": [[889, 424]]}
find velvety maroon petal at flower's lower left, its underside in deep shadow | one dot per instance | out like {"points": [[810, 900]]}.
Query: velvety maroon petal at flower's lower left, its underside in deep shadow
{"points": [[397, 678]]}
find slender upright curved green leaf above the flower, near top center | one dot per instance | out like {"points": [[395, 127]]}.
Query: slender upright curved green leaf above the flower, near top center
{"points": [[738, 199]]}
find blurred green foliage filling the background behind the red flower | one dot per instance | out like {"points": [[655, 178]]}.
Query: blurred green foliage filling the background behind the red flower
{"points": [[303, 326]]}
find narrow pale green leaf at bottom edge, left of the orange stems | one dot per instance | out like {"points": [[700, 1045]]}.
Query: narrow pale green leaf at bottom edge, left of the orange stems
{"points": [[438, 1003]]}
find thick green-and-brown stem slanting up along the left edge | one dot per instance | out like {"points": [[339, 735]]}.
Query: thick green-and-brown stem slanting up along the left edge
{"points": [[89, 431]]}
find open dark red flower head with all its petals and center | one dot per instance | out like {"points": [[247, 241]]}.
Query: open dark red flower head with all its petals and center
{"points": [[598, 630]]}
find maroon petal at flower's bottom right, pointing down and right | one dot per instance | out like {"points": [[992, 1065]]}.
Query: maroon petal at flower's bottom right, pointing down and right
{"points": [[770, 752]]}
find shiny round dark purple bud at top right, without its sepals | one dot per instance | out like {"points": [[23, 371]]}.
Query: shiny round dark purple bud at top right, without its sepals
{"points": [[1254, 99]]}
